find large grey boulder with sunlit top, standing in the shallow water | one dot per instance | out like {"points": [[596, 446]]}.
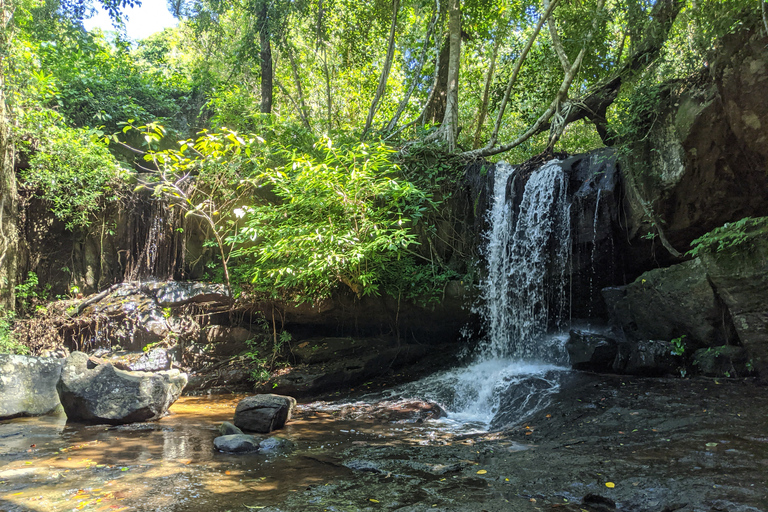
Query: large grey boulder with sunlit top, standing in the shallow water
{"points": [[100, 393]]}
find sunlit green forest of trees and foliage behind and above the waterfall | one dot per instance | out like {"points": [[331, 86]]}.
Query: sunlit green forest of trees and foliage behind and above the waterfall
{"points": [[318, 143]]}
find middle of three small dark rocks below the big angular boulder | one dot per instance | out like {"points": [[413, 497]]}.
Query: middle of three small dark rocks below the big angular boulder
{"points": [[647, 358]]}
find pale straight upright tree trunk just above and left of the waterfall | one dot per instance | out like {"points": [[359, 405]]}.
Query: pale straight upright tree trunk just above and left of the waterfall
{"points": [[449, 129]]}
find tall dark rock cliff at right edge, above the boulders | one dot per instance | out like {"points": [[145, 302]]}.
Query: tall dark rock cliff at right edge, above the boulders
{"points": [[704, 161]]}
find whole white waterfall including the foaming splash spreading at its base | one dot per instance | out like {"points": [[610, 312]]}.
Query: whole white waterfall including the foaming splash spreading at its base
{"points": [[528, 256]]}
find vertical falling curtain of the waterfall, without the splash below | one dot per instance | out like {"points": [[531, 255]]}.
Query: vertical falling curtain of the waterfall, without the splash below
{"points": [[528, 258]]}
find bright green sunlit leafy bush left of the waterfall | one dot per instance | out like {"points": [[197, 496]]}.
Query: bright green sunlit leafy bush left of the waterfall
{"points": [[342, 217]]}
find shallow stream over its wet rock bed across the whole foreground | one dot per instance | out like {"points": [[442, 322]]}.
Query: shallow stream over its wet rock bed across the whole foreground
{"points": [[663, 444]]}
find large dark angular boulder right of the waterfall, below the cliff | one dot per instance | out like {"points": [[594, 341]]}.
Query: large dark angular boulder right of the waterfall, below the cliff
{"points": [[670, 302]]}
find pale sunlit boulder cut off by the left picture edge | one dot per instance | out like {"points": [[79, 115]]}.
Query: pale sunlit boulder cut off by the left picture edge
{"points": [[28, 385]]}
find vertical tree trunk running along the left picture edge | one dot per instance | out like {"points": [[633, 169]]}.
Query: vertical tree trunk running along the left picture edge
{"points": [[8, 196]]}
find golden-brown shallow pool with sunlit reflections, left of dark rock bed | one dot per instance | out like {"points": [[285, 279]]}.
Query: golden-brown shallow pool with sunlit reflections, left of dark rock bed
{"points": [[49, 465]]}
